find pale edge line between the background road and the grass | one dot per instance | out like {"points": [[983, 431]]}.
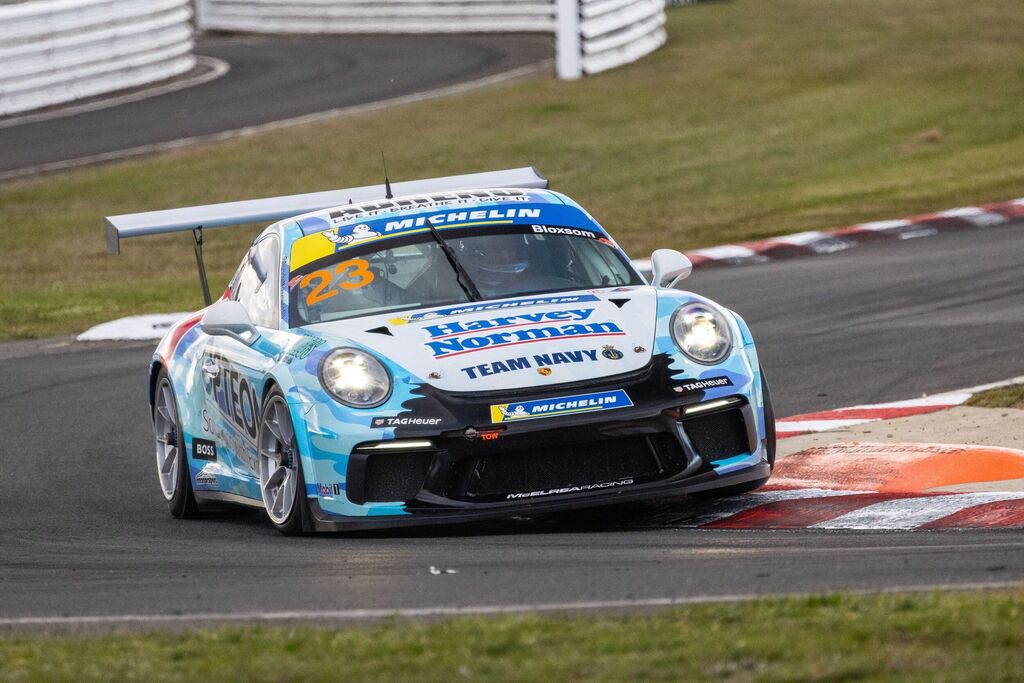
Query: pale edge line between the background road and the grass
{"points": [[184, 143]]}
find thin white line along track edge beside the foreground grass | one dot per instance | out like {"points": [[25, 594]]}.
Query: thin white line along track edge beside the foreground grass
{"points": [[481, 611]]}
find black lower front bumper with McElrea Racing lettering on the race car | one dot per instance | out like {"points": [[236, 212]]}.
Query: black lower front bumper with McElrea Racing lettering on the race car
{"points": [[657, 448]]}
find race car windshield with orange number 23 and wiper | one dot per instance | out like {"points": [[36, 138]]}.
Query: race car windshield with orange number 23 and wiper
{"points": [[414, 272]]}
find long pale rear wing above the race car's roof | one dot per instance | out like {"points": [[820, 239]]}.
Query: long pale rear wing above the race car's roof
{"points": [[277, 208]]}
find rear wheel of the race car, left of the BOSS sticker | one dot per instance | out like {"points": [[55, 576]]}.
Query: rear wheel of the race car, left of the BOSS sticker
{"points": [[173, 456]]}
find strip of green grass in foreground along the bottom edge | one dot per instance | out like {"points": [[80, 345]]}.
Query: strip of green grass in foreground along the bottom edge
{"points": [[943, 636]]}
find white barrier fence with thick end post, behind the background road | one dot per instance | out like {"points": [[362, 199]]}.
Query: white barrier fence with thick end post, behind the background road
{"points": [[590, 35]]}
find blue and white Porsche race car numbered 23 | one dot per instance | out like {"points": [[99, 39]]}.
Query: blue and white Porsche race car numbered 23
{"points": [[446, 351]]}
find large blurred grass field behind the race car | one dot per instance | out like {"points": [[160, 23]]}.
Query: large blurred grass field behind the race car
{"points": [[757, 118]]}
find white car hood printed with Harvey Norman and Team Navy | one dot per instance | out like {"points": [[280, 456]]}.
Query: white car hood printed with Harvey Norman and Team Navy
{"points": [[523, 343]]}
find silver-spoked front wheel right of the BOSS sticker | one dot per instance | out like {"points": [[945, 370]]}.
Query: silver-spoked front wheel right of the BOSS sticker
{"points": [[281, 481]]}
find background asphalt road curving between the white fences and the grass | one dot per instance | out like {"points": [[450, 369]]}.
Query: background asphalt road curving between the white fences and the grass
{"points": [[273, 78]]}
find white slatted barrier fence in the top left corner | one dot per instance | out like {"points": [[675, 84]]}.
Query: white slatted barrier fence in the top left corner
{"points": [[55, 52]]}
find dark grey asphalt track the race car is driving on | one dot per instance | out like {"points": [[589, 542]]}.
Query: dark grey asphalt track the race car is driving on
{"points": [[84, 531]]}
